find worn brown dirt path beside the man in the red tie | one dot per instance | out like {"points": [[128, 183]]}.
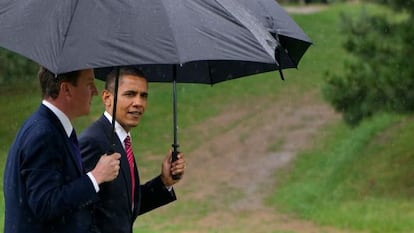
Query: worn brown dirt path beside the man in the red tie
{"points": [[240, 163]]}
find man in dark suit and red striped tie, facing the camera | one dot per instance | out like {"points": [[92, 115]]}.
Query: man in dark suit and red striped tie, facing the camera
{"points": [[123, 199]]}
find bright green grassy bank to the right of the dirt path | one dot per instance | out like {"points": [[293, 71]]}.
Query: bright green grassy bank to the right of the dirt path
{"points": [[355, 178]]}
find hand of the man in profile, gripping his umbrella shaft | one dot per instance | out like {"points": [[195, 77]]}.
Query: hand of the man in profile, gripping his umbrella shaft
{"points": [[107, 168]]}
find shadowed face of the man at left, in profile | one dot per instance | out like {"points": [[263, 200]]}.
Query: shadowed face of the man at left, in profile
{"points": [[83, 93]]}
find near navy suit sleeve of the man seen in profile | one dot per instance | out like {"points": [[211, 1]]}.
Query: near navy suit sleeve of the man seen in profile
{"points": [[53, 183]]}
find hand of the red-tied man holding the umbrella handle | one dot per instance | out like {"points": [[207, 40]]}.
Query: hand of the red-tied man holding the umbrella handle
{"points": [[168, 169]]}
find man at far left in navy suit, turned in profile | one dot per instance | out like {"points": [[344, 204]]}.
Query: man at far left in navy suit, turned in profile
{"points": [[45, 187]]}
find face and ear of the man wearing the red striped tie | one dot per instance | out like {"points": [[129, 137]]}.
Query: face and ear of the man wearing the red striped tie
{"points": [[131, 103]]}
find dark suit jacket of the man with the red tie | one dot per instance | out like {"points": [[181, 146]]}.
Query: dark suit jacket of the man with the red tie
{"points": [[114, 212]]}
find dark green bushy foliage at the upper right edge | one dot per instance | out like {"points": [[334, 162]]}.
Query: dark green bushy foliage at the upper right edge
{"points": [[380, 78]]}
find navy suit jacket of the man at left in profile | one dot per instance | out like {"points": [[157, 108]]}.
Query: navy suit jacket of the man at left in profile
{"points": [[45, 190]]}
